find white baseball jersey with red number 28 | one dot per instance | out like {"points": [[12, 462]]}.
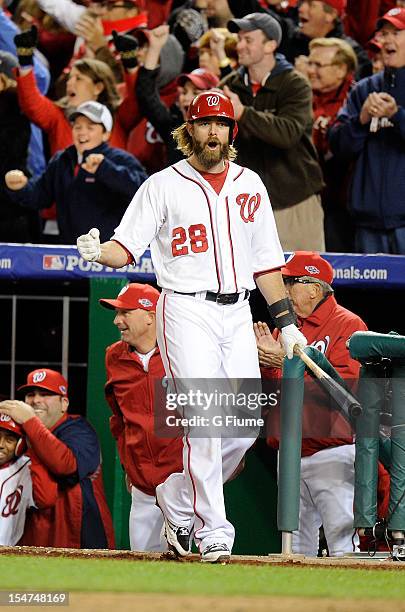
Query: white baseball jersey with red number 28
{"points": [[199, 240]]}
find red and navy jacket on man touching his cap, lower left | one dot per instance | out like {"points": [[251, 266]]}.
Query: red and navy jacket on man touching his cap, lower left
{"points": [[64, 485]]}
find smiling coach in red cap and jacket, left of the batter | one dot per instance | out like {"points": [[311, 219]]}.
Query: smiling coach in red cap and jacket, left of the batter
{"points": [[135, 377]]}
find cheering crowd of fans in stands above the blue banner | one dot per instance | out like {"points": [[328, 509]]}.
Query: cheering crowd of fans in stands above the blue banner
{"points": [[316, 87]]}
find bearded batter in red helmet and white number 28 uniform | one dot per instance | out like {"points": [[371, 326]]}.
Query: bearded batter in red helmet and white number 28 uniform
{"points": [[211, 231]]}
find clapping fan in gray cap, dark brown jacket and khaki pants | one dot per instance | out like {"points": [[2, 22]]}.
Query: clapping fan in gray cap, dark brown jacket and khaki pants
{"points": [[273, 107]]}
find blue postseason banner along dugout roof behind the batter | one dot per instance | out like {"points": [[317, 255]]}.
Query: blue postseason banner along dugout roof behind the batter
{"points": [[64, 263]]}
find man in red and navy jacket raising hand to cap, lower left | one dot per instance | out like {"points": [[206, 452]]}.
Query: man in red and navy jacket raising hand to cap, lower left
{"points": [[76, 513]]}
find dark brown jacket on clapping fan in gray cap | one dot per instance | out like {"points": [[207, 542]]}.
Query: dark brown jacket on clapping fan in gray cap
{"points": [[275, 133]]}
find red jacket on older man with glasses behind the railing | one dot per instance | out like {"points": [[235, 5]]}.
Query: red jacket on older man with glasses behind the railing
{"points": [[327, 329]]}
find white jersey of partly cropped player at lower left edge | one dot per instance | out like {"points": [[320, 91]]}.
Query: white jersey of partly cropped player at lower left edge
{"points": [[15, 498]]}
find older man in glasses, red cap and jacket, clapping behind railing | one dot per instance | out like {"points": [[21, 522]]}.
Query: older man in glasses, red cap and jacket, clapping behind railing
{"points": [[327, 464]]}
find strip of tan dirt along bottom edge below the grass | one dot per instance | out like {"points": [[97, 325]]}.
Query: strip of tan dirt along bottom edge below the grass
{"points": [[125, 602]]}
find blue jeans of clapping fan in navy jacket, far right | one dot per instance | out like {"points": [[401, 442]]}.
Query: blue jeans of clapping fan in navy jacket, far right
{"points": [[380, 241]]}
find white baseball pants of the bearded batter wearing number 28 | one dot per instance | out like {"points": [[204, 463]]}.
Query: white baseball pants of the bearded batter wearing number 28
{"points": [[199, 339]]}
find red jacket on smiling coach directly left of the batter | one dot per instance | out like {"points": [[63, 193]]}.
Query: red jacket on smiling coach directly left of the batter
{"points": [[130, 391]]}
